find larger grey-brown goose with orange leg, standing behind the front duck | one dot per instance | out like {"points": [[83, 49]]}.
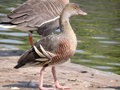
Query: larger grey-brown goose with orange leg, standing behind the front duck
{"points": [[35, 15]]}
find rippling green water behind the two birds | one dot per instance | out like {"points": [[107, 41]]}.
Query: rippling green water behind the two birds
{"points": [[98, 33]]}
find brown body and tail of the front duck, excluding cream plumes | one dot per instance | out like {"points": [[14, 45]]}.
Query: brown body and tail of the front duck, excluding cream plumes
{"points": [[56, 44]]}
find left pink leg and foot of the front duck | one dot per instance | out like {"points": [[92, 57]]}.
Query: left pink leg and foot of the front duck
{"points": [[41, 80]]}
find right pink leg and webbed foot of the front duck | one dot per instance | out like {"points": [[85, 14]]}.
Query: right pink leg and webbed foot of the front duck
{"points": [[56, 81]]}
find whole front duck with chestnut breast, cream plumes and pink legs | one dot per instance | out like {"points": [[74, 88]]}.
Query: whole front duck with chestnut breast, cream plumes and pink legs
{"points": [[53, 49]]}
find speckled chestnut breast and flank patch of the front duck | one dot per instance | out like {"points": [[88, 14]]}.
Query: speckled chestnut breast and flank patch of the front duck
{"points": [[63, 53]]}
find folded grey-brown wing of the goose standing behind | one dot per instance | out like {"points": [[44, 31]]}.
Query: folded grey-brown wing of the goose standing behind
{"points": [[36, 12]]}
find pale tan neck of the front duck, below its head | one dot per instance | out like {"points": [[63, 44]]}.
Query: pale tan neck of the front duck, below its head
{"points": [[66, 30]]}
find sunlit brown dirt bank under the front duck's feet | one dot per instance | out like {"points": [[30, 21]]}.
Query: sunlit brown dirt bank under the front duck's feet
{"points": [[75, 76]]}
